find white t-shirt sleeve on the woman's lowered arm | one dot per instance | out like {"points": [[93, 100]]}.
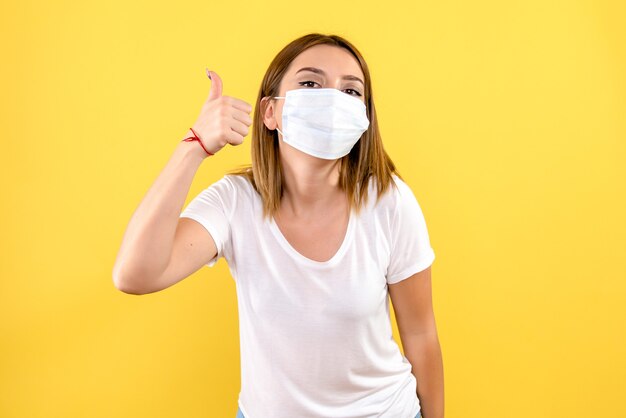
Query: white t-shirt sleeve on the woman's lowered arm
{"points": [[410, 244]]}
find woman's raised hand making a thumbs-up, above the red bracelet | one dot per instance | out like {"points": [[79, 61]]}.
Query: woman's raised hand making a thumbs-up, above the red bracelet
{"points": [[223, 119]]}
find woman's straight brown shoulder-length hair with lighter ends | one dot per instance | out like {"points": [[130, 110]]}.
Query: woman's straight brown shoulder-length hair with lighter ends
{"points": [[366, 160]]}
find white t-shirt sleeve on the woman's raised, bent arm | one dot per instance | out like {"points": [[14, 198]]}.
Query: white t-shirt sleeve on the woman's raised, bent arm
{"points": [[213, 208]]}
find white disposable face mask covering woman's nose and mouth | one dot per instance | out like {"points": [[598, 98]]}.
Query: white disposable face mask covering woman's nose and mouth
{"points": [[323, 122]]}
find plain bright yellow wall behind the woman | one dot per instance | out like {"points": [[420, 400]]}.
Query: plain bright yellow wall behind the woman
{"points": [[506, 118]]}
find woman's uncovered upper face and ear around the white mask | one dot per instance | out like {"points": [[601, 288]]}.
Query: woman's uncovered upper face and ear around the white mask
{"points": [[321, 66]]}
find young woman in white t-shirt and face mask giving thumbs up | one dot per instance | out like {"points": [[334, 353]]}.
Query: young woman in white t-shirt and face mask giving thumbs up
{"points": [[317, 232]]}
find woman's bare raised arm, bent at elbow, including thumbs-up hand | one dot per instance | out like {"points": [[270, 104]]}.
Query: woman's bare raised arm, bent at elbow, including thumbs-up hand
{"points": [[146, 252]]}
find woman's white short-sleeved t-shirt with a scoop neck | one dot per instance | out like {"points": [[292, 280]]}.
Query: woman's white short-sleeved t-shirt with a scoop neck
{"points": [[316, 337]]}
